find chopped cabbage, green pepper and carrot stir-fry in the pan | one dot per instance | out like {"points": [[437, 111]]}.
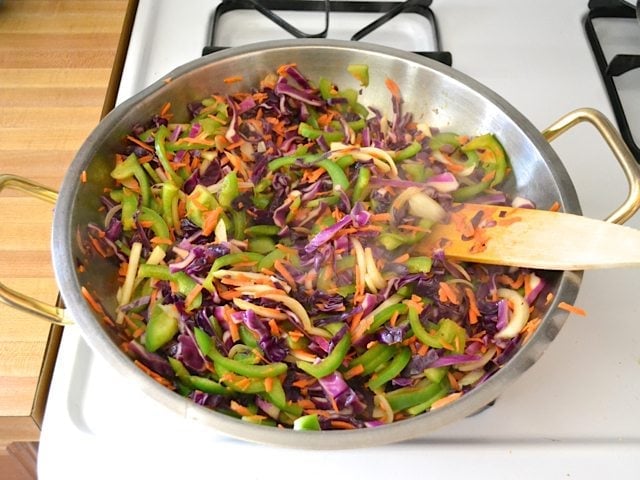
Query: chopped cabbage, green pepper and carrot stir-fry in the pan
{"points": [[268, 261]]}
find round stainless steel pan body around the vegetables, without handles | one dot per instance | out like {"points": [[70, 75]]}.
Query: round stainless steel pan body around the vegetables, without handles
{"points": [[437, 95]]}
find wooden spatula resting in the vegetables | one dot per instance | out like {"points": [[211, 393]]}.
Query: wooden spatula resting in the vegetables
{"points": [[533, 238]]}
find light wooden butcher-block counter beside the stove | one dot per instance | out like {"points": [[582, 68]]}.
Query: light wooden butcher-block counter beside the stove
{"points": [[56, 60]]}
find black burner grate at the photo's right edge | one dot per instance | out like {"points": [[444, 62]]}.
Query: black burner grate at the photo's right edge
{"points": [[619, 64]]}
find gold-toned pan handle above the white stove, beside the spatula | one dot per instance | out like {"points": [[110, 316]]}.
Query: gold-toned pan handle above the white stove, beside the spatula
{"points": [[620, 150]]}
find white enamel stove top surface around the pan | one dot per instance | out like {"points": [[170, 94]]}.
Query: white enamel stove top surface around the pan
{"points": [[574, 414]]}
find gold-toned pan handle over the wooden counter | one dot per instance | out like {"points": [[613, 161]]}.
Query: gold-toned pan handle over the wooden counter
{"points": [[51, 313]]}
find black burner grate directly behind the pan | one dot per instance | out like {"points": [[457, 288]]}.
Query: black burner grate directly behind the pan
{"points": [[387, 11]]}
